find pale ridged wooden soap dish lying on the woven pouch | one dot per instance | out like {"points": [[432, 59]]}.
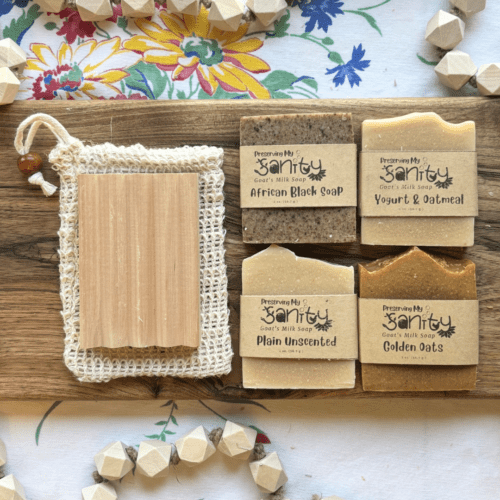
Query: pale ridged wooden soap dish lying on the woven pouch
{"points": [[139, 260]]}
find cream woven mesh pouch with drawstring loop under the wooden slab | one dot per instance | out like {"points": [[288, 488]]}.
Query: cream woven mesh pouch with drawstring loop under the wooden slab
{"points": [[71, 157]]}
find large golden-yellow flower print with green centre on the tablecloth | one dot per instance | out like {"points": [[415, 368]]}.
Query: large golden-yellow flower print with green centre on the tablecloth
{"points": [[189, 44]]}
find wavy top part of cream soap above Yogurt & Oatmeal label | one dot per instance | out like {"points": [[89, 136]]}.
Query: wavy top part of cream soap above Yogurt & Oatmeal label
{"points": [[418, 132]]}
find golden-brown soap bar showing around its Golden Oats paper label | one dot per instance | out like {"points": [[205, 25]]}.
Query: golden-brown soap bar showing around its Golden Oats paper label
{"points": [[415, 274]]}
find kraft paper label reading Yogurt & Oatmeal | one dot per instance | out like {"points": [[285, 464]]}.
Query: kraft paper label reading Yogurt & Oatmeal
{"points": [[418, 184]]}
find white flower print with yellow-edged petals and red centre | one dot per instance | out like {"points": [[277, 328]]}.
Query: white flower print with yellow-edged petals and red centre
{"points": [[88, 71]]}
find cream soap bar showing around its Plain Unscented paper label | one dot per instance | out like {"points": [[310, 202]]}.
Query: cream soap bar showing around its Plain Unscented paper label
{"points": [[278, 271]]}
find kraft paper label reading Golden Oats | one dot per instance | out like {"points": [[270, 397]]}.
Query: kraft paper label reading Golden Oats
{"points": [[419, 332]]}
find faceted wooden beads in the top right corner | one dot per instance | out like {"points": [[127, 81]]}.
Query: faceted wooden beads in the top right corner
{"points": [[445, 31]]}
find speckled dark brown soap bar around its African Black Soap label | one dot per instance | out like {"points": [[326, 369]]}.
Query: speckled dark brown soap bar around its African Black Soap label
{"points": [[307, 224]]}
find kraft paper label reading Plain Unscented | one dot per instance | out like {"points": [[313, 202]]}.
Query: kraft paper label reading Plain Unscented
{"points": [[299, 326]]}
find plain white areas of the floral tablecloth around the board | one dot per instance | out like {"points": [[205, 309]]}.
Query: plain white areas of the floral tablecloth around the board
{"points": [[359, 449]]}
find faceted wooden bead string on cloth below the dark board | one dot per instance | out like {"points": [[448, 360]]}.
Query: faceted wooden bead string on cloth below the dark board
{"points": [[233, 438]]}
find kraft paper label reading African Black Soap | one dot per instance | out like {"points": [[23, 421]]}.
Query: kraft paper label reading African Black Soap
{"points": [[304, 175]]}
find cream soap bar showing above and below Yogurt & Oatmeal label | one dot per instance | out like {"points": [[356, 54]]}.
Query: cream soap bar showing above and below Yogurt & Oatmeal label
{"points": [[417, 132]]}
